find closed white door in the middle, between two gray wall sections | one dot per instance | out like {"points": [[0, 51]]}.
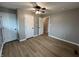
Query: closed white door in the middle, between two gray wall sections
{"points": [[29, 26]]}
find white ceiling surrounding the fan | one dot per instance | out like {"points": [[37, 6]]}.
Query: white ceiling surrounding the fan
{"points": [[52, 7]]}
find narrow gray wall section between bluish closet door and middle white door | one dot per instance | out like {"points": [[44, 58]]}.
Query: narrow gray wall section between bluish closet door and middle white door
{"points": [[21, 24]]}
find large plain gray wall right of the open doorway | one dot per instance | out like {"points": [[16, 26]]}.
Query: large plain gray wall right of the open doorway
{"points": [[65, 25]]}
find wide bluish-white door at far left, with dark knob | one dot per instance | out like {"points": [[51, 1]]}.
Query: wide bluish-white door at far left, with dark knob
{"points": [[10, 27]]}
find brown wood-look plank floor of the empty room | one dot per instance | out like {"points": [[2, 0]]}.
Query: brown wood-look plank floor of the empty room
{"points": [[40, 46]]}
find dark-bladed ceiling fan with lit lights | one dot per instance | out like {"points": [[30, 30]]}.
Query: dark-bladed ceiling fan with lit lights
{"points": [[38, 9]]}
